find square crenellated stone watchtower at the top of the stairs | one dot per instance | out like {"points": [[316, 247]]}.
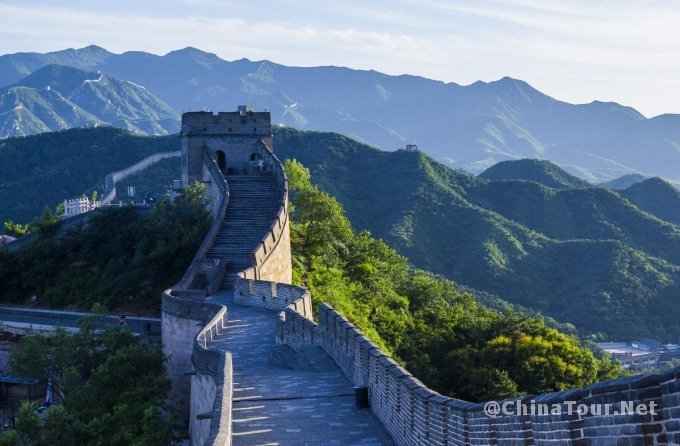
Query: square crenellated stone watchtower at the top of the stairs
{"points": [[234, 139]]}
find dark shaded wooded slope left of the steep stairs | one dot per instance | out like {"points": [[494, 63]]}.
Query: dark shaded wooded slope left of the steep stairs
{"points": [[121, 258]]}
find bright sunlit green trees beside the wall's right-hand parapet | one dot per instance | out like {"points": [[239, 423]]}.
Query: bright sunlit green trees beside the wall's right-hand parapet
{"points": [[443, 336]]}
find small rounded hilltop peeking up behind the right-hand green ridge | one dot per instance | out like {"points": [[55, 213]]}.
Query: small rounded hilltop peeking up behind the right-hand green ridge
{"points": [[540, 171]]}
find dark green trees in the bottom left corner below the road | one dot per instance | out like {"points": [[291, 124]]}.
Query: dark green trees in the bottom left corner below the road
{"points": [[109, 388]]}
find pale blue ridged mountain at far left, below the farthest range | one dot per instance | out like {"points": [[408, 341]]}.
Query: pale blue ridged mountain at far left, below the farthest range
{"points": [[57, 97]]}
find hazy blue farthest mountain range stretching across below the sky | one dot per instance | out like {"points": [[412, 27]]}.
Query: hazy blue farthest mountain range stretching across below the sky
{"points": [[471, 127]]}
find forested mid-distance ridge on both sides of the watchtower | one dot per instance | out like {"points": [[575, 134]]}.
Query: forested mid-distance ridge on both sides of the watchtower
{"points": [[527, 232]]}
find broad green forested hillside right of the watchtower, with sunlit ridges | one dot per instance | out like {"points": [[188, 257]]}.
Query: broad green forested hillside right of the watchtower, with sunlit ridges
{"points": [[584, 256]]}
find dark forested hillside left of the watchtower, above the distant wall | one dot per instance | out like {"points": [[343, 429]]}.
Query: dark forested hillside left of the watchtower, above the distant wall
{"points": [[45, 169]]}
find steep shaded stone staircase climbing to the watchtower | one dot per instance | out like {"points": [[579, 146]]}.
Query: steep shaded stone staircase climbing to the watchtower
{"points": [[253, 202]]}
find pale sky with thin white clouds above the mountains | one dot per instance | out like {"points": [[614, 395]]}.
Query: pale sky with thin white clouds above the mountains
{"points": [[626, 51]]}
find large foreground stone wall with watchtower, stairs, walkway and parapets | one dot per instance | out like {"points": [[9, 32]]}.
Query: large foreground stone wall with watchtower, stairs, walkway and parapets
{"points": [[249, 364]]}
